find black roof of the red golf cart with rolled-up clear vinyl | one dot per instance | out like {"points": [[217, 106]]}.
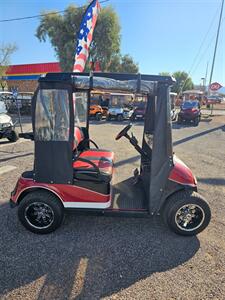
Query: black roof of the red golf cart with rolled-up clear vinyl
{"points": [[136, 83]]}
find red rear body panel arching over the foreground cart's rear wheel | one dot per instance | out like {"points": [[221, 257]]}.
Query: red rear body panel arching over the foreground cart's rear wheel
{"points": [[67, 193]]}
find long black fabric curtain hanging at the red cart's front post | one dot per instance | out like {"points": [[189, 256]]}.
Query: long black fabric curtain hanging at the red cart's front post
{"points": [[162, 153]]}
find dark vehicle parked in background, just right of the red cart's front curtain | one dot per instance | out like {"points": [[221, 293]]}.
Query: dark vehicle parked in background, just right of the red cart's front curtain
{"points": [[190, 111]]}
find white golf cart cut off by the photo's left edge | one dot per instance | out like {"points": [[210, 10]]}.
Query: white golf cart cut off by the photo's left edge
{"points": [[7, 128]]}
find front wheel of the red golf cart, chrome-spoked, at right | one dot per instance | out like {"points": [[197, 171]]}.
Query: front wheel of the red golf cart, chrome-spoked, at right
{"points": [[182, 205]]}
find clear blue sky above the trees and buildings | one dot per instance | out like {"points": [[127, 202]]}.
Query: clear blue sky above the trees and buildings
{"points": [[161, 35]]}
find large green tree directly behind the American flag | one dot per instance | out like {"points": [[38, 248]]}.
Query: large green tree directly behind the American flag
{"points": [[62, 33]]}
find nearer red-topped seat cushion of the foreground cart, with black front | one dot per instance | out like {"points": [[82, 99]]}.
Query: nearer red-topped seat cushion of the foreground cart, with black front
{"points": [[85, 171]]}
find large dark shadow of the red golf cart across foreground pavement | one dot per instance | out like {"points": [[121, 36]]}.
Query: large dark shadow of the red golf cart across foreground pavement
{"points": [[88, 257]]}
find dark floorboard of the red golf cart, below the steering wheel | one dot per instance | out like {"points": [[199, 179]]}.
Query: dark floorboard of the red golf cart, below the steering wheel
{"points": [[128, 196]]}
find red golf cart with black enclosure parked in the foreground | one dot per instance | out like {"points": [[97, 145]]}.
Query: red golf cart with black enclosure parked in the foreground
{"points": [[70, 174]]}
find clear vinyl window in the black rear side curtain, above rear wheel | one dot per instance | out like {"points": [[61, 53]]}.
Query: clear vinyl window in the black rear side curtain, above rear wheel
{"points": [[52, 115]]}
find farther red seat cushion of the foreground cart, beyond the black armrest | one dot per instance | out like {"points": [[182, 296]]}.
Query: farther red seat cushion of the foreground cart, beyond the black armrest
{"points": [[98, 154]]}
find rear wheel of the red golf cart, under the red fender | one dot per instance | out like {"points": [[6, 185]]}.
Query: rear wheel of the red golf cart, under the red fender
{"points": [[27, 212]]}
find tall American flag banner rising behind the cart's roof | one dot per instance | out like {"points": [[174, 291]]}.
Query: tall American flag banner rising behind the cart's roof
{"points": [[85, 35]]}
